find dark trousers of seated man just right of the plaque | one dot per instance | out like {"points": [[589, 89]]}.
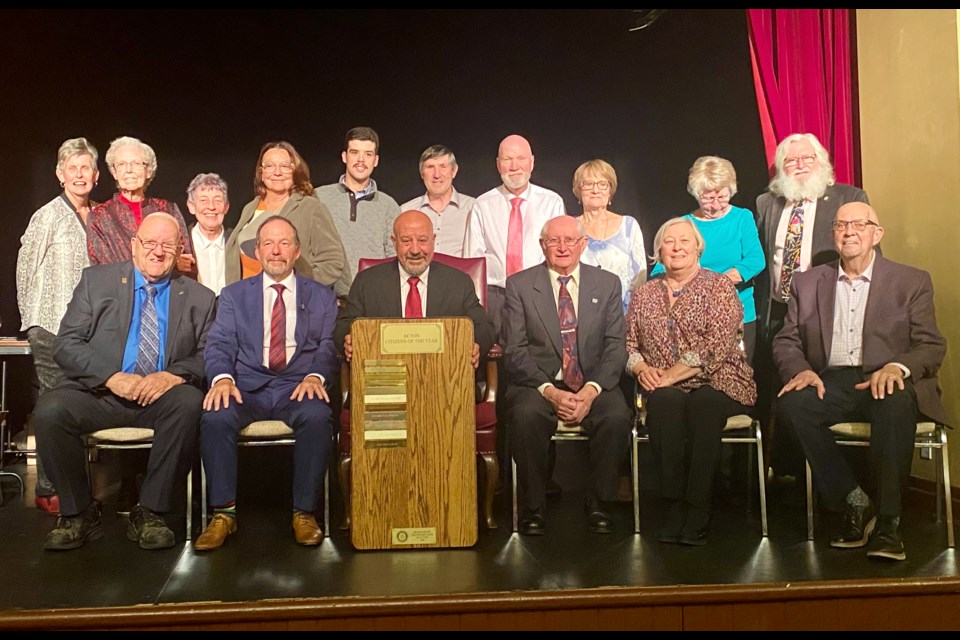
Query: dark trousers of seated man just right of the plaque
{"points": [[533, 421]]}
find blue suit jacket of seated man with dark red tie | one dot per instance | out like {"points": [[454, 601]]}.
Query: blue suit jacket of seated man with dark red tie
{"points": [[235, 342]]}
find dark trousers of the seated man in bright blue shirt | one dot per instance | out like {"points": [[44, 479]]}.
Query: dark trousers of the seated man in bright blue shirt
{"points": [[63, 416]]}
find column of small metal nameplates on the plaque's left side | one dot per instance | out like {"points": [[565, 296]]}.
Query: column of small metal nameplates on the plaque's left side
{"points": [[384, 404]]}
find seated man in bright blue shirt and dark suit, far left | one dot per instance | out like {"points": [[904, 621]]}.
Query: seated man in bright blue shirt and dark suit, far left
{"points": [[131, 345]]}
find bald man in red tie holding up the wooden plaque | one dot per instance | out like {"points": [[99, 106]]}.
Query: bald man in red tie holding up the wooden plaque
{"points": [[384, 291]]}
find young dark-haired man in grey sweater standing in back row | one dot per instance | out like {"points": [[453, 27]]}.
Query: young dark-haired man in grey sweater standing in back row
{"points": [[363, 215]]}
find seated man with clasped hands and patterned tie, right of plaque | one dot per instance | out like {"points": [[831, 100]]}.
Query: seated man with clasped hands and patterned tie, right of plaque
{"points": [[564, 350]]}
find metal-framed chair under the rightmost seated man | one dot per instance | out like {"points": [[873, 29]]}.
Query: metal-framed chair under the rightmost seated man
{"points": [[929, 436]]}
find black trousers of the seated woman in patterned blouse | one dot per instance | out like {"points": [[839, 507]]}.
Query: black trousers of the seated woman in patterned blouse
{"points": [[685, 429]]}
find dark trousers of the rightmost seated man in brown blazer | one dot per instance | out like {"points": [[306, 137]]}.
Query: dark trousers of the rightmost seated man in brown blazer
{"points": [[893, 429]]}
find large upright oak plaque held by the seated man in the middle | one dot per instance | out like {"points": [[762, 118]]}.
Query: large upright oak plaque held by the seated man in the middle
{"points": [[413, 423]]}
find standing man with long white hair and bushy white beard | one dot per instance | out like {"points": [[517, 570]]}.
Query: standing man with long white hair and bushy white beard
{"points": [[795, 222]]}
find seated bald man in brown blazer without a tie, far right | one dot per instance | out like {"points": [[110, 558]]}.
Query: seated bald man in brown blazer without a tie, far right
{"points": [[860, 343]]}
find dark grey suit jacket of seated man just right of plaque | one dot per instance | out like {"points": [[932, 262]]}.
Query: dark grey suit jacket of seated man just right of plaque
{"points": [[531, 328]]}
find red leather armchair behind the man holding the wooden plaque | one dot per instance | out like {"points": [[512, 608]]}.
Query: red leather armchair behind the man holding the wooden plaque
{"points": [[486, 408]]}
